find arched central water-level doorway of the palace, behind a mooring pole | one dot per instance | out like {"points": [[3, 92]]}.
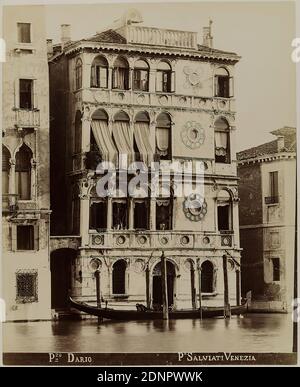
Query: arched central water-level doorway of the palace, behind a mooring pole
{"points": [[157, 284]]}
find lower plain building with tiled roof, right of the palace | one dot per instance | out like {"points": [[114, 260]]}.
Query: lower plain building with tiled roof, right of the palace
{"points": [[267, 189]]}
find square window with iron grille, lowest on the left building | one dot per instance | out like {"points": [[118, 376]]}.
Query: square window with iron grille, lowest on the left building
{"points": [[26, 284]]}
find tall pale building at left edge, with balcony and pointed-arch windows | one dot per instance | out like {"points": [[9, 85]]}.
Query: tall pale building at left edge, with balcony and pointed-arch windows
{"points": [[25, 165]]}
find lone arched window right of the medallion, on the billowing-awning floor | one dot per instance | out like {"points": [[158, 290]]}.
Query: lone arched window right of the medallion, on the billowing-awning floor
{"points": [[222, 141]]}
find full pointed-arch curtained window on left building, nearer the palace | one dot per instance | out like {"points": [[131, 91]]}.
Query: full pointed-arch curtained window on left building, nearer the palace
{"points": [[23, 172]]}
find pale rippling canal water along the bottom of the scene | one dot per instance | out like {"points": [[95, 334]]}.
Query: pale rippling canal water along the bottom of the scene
{"points": [[250, 333]]}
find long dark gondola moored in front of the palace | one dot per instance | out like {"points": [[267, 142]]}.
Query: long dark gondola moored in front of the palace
{"points": [[143, 313]]}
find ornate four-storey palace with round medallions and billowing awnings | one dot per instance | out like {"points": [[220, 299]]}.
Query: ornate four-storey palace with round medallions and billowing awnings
{"points": [[154, 95]]}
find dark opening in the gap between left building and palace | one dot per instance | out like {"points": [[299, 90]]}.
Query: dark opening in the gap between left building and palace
{"points": [[61, 262]]}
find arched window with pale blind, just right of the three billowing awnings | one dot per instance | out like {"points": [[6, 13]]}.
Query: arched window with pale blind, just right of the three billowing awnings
{"points": [[163, 136]]}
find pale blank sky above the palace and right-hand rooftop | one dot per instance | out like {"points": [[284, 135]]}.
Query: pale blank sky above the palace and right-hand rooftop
{"points": [[260, 32]]}
